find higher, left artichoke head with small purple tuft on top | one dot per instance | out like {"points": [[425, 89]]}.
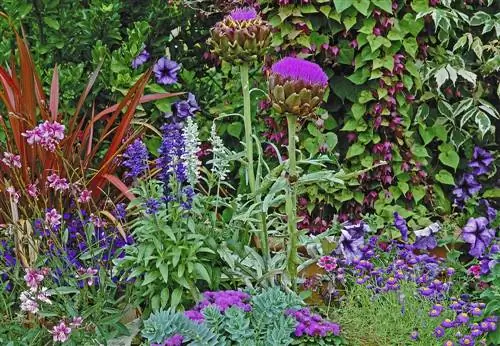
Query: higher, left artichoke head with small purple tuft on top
{"points": [[241, 37]]}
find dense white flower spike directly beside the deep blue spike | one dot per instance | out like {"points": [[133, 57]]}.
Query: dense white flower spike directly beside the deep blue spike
{"points": [[191, 148]]}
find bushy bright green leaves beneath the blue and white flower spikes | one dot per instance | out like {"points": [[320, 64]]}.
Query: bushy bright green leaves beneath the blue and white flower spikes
{"points": [[172, 257]]}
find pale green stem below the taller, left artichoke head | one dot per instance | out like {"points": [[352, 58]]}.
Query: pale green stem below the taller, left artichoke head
{"points": [[247, 118]]}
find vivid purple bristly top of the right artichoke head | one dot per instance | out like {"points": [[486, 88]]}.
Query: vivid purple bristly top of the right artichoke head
{"points": [[300, 70]]}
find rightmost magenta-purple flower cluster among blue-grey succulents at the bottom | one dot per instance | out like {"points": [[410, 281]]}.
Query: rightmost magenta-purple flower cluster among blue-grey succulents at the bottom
{"points": [[312, 324]]}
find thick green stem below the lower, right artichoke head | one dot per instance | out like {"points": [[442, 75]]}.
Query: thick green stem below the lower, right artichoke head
{"points": [[291, 202]]}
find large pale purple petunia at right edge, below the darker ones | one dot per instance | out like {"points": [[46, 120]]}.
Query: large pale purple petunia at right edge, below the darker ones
{"points": [[478, 235]]}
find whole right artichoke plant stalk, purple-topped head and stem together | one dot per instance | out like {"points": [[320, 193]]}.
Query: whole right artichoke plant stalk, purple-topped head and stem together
{"points": [[296, 88]]}
